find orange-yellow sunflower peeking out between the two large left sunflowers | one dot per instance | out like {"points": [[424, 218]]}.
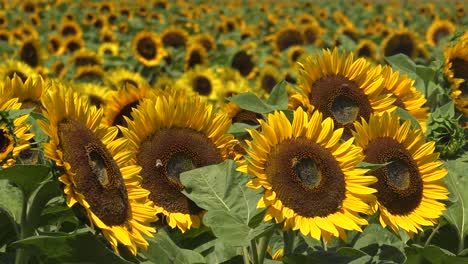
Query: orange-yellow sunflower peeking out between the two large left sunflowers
{"points": [[122, 103]]}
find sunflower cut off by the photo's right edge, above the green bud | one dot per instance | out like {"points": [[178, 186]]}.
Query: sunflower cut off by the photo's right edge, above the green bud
{"points": [[456, 63]]}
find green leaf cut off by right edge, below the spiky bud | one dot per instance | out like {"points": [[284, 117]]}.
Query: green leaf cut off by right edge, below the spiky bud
{"points": [[457, 213]]}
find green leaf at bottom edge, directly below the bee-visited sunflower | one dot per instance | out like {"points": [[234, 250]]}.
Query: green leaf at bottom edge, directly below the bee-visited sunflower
{"points": [[163, 250]]}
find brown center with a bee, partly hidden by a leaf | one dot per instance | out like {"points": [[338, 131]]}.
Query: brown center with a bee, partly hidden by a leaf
{"points": [[166, 154]]}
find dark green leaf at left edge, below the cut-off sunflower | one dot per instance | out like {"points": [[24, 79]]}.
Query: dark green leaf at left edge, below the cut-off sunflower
{"points": [[26, 177]]}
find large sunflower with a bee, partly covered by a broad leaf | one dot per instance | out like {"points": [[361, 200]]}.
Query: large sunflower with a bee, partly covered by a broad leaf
{"points": [[177, 133]]}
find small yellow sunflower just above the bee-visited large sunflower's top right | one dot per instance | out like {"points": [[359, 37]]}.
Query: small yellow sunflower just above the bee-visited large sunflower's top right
{"points": [[201, 81]]}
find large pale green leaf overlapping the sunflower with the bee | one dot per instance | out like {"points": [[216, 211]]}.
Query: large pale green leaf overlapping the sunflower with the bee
{"points": [[230, 204]]}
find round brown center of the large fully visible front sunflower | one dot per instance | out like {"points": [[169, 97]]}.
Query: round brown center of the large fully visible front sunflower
{"points": [[306, 177]]}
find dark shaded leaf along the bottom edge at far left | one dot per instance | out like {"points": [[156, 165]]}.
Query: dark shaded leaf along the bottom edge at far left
{"points": [[75, 248]]}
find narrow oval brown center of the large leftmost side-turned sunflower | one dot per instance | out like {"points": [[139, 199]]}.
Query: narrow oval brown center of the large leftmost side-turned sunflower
{"points": [[96, 175]]}
